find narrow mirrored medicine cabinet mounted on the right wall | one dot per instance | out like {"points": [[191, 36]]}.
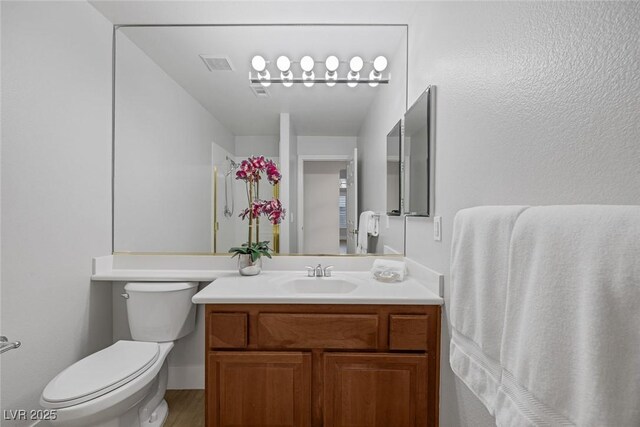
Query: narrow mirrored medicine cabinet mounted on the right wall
{"points": [[418, 157]]}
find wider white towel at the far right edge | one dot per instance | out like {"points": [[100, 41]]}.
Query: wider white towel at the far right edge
{"points": [[571, 342]]}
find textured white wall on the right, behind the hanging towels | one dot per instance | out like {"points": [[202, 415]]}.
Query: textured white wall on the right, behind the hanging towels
{"points": [[537, 103]]}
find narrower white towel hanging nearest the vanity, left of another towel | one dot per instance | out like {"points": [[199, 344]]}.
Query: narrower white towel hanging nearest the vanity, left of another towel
{"points": [[479, 268]]}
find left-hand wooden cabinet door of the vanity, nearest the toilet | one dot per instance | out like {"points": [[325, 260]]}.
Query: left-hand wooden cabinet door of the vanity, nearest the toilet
{"points": [[258, 389]]}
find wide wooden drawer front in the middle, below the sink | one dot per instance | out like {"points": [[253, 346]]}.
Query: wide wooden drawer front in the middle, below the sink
{"points": [[332, 331]]}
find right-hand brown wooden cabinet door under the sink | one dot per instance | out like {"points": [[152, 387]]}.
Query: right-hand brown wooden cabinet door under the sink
{"points": [[375, 390]]}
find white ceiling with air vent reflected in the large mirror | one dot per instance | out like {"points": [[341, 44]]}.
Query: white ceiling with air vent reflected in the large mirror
{"points": [[320, 110]]}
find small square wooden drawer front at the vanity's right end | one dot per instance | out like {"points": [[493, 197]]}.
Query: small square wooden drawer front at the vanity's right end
{"points": [[409, 332]]}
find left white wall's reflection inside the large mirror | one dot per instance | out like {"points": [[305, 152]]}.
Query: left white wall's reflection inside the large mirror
{"points": [[163, 159]]}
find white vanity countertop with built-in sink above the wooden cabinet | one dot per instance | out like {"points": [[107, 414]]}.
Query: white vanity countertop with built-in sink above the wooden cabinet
{"points": [[267, 288]]}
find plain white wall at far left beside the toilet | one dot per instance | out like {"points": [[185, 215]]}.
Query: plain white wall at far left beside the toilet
{"points": [[56, 213]]}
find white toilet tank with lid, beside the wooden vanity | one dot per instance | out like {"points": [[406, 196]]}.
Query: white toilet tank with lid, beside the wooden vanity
{"points": [[160, 311]]}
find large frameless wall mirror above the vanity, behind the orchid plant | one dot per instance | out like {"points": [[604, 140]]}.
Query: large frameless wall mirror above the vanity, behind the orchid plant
{"points": [[189, 106]]}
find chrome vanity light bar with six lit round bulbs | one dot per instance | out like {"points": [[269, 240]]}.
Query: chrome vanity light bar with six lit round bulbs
{"points": [[284, 75]]}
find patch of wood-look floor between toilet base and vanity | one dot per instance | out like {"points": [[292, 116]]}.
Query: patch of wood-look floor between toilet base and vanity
{"points": [[186, 408]]}
